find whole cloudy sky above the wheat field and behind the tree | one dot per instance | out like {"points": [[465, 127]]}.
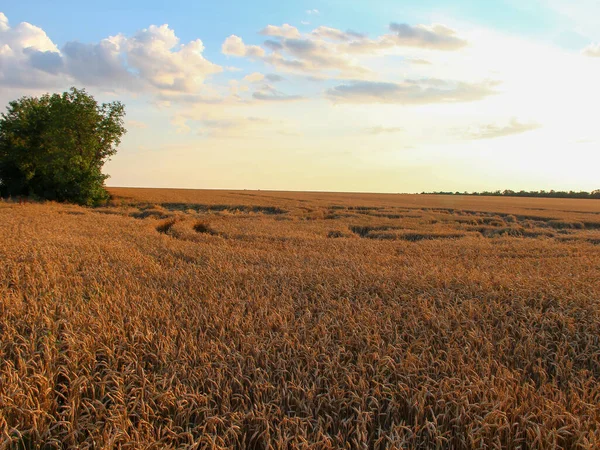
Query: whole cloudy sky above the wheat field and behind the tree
{"points": [[326, 95]]}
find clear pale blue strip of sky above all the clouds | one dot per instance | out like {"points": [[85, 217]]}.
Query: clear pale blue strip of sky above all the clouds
{"points": [[92, 21]]}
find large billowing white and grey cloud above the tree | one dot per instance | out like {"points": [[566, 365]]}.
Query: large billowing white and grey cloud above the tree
{"points": [[152, 59]]}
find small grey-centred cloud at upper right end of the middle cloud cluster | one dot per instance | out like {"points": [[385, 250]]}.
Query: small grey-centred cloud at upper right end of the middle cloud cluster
{"points": [[437, 37]]}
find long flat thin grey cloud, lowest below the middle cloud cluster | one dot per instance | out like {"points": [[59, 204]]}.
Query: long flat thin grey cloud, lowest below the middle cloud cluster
{"points": [[410, 92]]}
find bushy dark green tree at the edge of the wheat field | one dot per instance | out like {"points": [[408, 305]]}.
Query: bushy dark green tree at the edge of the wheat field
{"points": [[54, 147]]}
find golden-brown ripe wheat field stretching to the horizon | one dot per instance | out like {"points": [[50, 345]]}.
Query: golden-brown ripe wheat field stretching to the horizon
{"points": [[257, 319]]}
